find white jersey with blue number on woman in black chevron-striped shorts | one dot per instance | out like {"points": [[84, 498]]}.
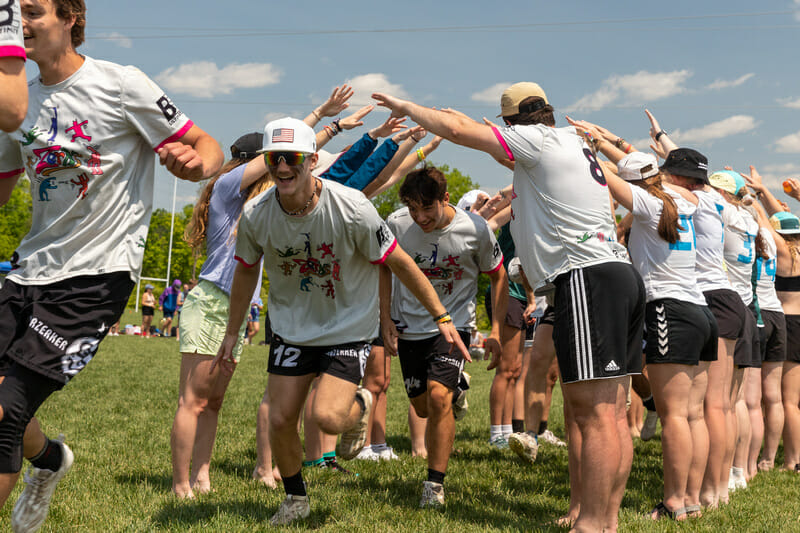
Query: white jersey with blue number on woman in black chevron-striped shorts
{"points": [[666, 269]]}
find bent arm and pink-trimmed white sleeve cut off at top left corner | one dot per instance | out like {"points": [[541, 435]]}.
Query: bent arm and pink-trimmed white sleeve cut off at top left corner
{"points": [[13, 85]]}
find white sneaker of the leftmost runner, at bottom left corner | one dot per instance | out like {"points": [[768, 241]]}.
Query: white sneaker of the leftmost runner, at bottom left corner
{"points": [[31, 508]]}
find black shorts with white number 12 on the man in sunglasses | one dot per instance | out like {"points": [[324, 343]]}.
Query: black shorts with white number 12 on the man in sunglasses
{"points": [[345, 361]]}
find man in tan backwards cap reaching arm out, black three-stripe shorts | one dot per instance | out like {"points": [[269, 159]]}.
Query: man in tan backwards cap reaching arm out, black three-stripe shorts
{"points": [[566, 240]]}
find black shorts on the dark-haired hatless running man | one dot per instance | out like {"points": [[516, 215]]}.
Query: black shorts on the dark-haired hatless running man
{"points": [[430, 360]]}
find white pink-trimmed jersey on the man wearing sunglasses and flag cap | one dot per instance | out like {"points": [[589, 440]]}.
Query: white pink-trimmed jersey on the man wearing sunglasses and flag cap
{"points": [[322, 266]]}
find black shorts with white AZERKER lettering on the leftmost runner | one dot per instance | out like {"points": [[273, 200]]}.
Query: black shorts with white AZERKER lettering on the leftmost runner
{"points": [[55, 329]]}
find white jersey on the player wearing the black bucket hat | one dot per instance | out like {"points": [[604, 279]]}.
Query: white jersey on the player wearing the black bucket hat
{"points": [[709, 227]]}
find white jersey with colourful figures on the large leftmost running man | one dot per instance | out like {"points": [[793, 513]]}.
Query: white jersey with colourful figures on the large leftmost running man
{"points": [[87, 147]]}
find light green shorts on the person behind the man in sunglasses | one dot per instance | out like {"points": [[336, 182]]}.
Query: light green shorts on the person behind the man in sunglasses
{"points": [[204, 317]]}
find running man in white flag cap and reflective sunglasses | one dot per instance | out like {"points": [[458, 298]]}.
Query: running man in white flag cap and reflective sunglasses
{"points": [[322, 243]]}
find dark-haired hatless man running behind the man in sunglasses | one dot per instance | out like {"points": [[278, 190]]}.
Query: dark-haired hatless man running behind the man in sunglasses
{"points": [[465, 247]]}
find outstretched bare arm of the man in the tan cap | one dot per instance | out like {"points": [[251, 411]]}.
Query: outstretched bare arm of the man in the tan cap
{"points": [[454, 127]]}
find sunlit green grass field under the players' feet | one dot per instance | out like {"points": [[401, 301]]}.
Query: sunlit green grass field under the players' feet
{"points": [[118, 413]]}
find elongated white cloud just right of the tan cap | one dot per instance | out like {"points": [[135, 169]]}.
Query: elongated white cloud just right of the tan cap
{"points": [[640, 87]]}
